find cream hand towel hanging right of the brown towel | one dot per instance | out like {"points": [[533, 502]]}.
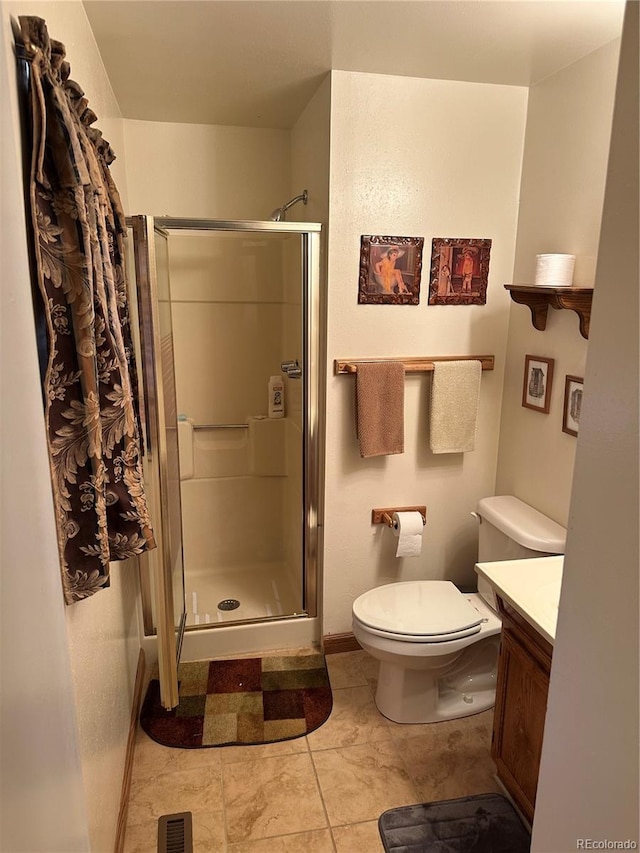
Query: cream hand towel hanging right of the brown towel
{"points": [[455, 392]]}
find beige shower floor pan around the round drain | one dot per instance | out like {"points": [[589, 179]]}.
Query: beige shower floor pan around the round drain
{"points": [[262, 592]]}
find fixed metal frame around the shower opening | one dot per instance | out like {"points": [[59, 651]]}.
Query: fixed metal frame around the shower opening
{"points": [[310, 272]]}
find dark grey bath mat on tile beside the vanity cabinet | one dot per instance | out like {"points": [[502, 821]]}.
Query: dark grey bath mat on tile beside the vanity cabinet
{"points": [[486, 823]]}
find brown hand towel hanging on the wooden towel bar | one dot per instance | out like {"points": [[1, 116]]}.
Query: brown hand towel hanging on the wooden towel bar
{"points": [[380, 408]]}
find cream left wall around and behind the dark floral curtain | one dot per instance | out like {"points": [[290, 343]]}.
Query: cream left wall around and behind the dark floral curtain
{"points": [[67, 672]]}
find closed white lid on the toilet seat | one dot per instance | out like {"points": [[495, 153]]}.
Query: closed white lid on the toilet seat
{"points": [[417, 608]]}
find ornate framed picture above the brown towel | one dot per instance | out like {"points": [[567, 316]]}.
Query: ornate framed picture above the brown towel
{"points": [[390, 270]]}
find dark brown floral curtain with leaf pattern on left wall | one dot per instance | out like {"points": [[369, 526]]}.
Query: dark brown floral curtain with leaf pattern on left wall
{"points": [[89, 383]]}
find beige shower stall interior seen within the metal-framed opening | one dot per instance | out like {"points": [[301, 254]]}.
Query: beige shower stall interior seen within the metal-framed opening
{"points": [[239, 318]]}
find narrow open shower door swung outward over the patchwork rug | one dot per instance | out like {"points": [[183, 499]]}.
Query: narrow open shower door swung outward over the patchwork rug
{"points": [[162, 569]]}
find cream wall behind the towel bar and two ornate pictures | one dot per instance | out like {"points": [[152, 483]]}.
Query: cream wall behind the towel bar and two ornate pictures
{"points": [[423, 158]]}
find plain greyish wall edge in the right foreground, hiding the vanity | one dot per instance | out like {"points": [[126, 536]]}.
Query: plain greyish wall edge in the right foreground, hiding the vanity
{"points": [[588, 785]]}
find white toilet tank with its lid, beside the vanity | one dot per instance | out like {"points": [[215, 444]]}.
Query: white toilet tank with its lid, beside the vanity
{"points": [[512, 530]]}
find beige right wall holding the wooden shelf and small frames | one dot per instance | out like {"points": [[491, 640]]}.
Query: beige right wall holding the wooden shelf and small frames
{"points": [[563, 175]]}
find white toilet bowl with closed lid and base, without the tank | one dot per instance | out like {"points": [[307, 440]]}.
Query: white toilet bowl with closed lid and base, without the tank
{"points": [[445, 671]]}
